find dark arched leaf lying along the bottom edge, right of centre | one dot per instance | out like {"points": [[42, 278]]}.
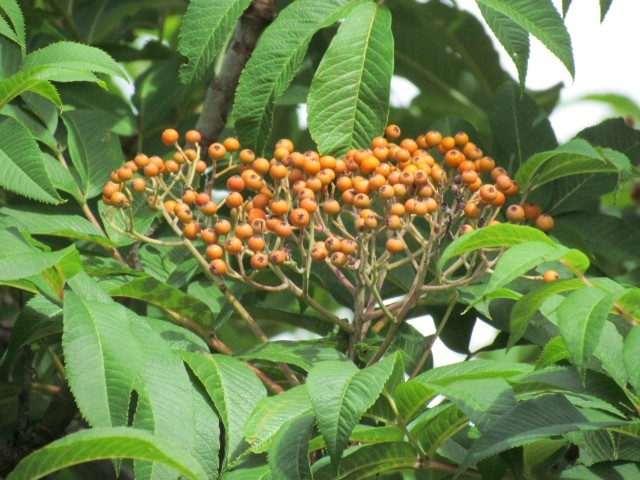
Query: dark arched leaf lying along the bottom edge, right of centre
{"points": [[368, 460]]}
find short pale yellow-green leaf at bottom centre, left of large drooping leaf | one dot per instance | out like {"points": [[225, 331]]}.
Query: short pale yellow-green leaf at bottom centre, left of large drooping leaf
{"points": [[273, 412]]}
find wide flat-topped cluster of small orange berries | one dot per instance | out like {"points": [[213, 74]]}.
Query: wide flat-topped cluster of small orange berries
{"points": [[399, 195]]}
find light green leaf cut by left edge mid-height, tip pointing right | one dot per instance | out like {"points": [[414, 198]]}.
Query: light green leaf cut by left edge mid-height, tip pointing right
{"points": [[19, 260]]}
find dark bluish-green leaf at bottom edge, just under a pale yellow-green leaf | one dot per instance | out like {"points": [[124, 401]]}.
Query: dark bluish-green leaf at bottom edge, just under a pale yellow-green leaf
{"points": [[289, 452]]}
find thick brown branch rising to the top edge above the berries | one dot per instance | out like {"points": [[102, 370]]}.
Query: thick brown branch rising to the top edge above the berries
{"points": [[220, 94]]}
